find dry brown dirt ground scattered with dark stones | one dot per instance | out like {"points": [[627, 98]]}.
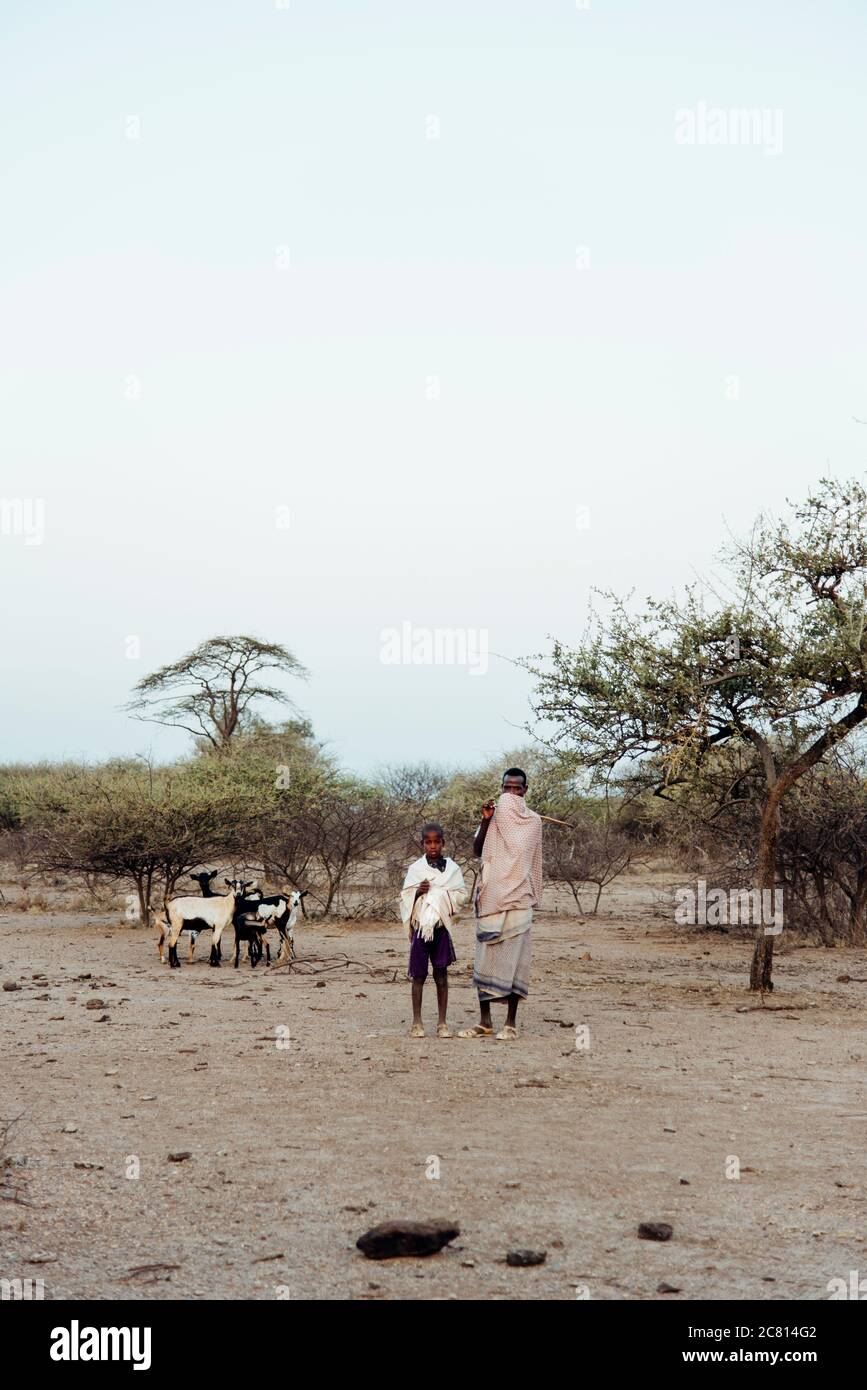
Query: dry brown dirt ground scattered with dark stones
{"points": [[311, 1115]]}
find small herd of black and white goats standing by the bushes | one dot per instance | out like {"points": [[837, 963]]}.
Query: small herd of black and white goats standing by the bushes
{"points": [[244, 908]]}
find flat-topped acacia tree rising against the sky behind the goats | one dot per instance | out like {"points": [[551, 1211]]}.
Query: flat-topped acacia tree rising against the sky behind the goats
{"points": [[210, 692]]}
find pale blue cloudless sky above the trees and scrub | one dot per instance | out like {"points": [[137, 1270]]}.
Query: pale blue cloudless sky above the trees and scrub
{"points": [[334, 323]]}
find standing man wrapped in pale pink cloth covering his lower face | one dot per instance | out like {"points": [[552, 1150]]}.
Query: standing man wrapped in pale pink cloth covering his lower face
{"points": [[509, 888]]}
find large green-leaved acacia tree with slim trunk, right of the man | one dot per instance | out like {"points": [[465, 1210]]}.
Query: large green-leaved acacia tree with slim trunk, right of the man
{"points": [[779, 668]]}
